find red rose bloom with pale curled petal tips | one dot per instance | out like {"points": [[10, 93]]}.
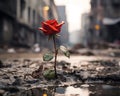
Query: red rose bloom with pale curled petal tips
{"points": [[51, 27]]}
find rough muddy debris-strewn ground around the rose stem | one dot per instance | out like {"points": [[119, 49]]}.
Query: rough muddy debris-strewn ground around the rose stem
{"points": [[20, 72]]}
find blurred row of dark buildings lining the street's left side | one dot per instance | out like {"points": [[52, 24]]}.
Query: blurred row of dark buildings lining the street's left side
{"points": [[20, 20]]}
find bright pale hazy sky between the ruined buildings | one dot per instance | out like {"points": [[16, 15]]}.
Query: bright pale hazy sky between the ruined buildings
{"points": [[74, 9]]}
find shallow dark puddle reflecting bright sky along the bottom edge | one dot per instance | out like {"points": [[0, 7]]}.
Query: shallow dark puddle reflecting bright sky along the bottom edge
{"points": [[74, 90]]}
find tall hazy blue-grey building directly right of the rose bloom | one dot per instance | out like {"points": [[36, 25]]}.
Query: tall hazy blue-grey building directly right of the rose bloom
{"points": [[64, 31]]}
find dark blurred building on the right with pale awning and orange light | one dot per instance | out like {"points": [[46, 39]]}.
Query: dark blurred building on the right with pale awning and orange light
{"points": [[105, 19]]}
